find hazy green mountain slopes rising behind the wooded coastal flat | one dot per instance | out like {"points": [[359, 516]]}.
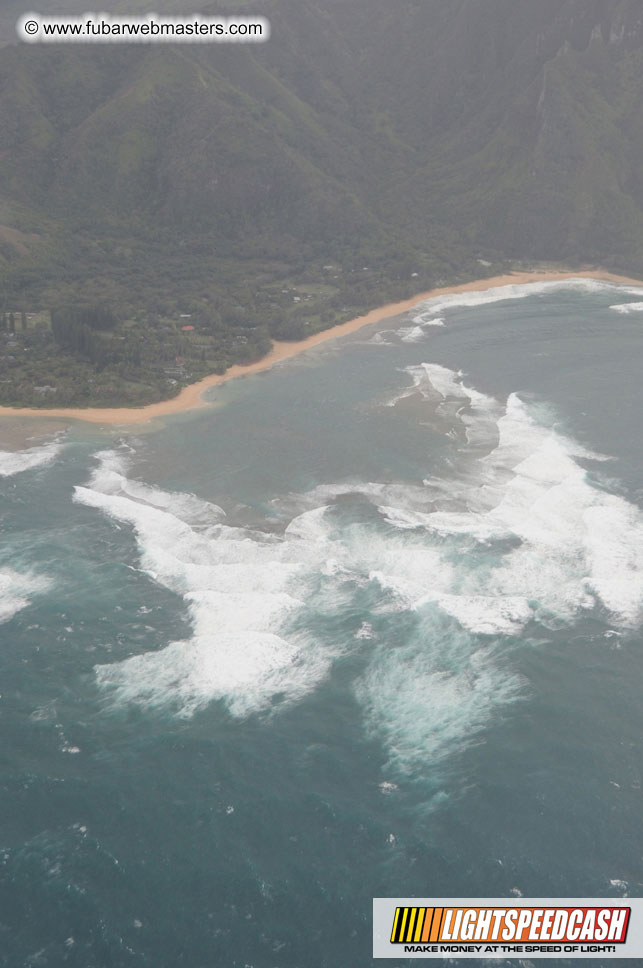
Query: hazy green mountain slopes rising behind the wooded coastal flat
{"points": [[304, 139]]}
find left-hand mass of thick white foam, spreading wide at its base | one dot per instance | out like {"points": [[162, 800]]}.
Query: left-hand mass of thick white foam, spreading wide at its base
{"points": [[240, 588]]}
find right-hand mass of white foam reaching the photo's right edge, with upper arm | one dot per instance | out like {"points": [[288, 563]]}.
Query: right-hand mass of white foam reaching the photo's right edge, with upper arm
{"points": [[568, 544]]}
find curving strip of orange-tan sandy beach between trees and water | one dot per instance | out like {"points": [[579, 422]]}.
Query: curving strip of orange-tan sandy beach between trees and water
{"points": [[190, 397]]}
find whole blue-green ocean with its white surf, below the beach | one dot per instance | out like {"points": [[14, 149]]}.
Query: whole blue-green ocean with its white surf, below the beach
{"points": [[369, 627]]}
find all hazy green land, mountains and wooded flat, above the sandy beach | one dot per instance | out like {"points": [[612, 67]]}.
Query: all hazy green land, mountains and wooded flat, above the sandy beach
{"points": [[366, 152]]}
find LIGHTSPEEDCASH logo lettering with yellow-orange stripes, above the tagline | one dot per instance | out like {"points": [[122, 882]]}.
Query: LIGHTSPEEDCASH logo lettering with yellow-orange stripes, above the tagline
{"points": [[497, 925]]}
